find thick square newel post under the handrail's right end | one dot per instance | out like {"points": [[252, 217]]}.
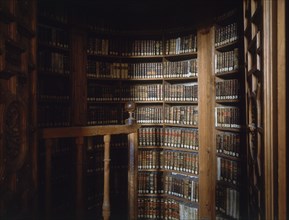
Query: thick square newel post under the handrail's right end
{"points": [[132, 176]]}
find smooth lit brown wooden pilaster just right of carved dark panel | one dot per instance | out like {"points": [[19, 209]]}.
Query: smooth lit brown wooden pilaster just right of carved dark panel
{"points": [[270, 109]]}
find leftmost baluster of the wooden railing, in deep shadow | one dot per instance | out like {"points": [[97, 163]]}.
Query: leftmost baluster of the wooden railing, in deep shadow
{"points": [[48, 154]]}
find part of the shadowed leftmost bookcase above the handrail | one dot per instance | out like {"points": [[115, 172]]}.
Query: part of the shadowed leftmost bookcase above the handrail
{"points": [[54, 68]]}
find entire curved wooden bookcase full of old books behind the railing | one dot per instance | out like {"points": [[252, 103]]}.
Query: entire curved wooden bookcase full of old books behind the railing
{"points": [[175, 80]]}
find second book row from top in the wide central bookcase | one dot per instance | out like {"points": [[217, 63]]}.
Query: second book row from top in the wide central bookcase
{"points": [[177, 69]]}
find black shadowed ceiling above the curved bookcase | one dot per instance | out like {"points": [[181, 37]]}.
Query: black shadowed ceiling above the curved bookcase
{"points": [[147, 13]]}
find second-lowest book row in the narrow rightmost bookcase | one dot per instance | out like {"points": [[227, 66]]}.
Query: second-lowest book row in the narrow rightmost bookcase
{"points": [[228, 170]]}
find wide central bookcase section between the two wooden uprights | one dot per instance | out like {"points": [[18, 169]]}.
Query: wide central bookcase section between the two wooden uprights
{"points": [[159, 73]]}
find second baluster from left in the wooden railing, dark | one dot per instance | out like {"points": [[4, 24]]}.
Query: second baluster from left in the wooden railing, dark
{"points": [[79, 177]]}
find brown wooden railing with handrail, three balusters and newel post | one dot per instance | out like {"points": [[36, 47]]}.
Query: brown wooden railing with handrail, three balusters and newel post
{"points": [[79, 133]]}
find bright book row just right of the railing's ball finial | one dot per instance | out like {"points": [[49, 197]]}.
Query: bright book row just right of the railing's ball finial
{"points": [[184, 115]]}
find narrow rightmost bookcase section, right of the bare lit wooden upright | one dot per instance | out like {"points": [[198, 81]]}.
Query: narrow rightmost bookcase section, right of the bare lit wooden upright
{"points": [[229, 116]]}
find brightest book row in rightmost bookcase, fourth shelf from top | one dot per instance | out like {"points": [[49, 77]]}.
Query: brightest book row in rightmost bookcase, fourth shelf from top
{"points": [[227, 117]]}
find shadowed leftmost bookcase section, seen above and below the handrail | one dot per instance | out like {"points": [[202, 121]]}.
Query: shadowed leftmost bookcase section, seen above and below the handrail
{"points": [[54, 103]]}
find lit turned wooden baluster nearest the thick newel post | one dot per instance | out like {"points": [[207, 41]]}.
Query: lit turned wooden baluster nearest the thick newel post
{"points": [[106, 202]]}
